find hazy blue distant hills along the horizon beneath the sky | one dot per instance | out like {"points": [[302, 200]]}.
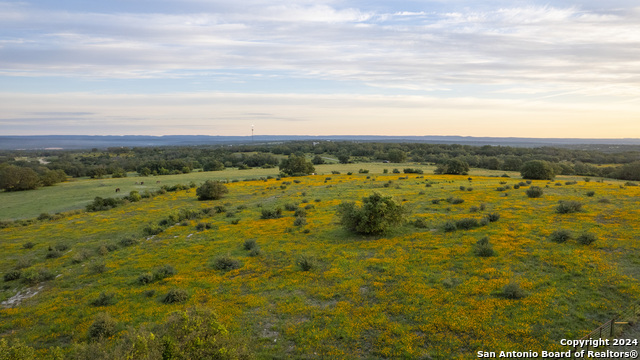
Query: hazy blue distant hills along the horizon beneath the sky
{"points": [[93, 141]]}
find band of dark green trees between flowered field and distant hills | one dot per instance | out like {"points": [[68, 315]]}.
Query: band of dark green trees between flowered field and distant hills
{"points": [[23, 170]]}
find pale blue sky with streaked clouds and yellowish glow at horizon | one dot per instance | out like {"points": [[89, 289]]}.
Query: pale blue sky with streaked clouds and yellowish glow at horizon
{"points": [[499, 68]]}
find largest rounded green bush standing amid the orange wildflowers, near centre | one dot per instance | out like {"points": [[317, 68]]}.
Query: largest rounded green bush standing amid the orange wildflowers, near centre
{"points": [[377, 214]]}
